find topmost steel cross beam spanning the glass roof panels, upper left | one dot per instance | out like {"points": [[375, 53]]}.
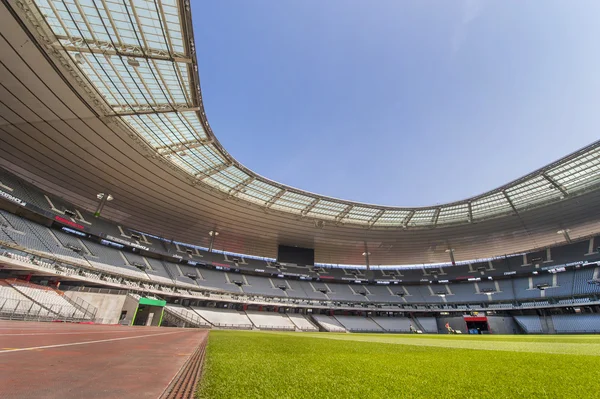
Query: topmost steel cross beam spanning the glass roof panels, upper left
{"points": [[79, 45]]}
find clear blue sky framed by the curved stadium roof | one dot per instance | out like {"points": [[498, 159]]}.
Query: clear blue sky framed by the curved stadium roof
{"points": [[399, 102]]}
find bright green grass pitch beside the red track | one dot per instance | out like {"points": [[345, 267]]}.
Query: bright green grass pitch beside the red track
{"points": [[246, 364]]}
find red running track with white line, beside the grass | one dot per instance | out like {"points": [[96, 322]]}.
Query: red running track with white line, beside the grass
{"points": [[56, 360]]}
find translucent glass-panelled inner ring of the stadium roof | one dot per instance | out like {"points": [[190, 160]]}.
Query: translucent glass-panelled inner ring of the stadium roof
{"points": [[133, 64]]}
